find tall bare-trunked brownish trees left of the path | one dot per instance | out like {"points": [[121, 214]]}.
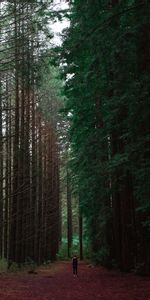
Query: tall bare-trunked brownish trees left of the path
{"points": [[29, 164]]}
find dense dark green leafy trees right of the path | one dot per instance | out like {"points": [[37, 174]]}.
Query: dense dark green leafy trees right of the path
{"points": [[106, 66]]}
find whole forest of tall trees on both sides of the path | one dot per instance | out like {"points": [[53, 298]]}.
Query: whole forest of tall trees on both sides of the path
{"points": [[75, 133]]}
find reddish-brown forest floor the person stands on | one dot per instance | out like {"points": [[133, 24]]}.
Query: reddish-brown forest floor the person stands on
{"points": [[56, 282]]}
